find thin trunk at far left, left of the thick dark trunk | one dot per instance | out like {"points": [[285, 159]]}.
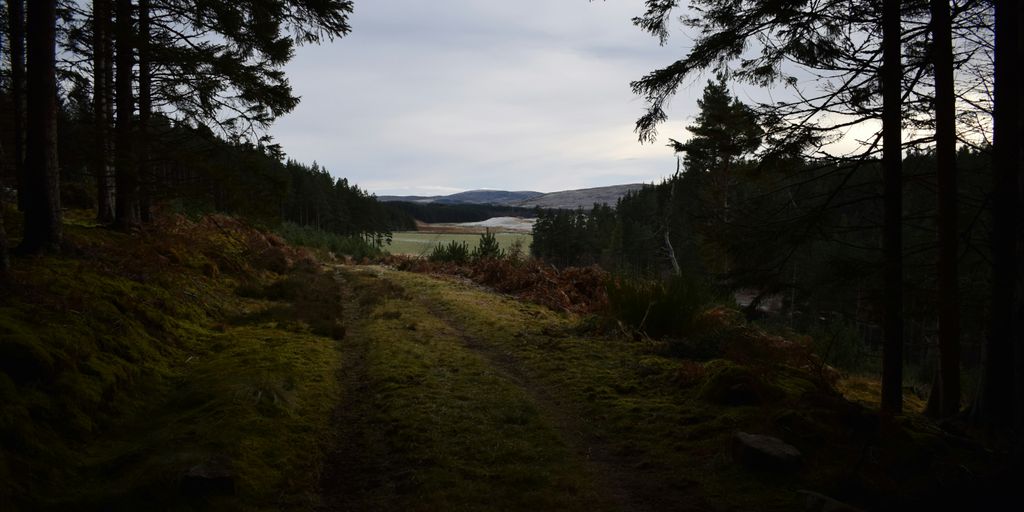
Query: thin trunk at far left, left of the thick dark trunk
{"points": [[16, 22]]}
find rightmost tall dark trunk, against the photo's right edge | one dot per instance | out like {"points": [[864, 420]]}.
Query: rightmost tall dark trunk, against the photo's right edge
{"points": [[997, 403]]}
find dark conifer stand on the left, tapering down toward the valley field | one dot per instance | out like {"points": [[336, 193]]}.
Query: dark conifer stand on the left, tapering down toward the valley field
{"points": [[121, 105]]}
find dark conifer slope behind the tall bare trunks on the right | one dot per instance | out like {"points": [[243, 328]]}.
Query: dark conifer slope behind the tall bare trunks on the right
{"points": [[787, 238]]}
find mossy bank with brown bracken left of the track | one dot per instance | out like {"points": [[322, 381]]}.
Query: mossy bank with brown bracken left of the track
{"points": [[180, 365]]}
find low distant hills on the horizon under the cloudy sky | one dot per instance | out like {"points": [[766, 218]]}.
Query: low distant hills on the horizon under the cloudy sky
{"points": [[583, 198]]}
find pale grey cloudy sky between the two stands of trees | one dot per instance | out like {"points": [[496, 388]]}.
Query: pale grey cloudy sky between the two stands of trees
{"points": [[434, 98]]}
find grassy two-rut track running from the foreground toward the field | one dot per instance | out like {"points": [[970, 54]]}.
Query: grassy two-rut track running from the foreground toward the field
{"points": [[449, 407]]}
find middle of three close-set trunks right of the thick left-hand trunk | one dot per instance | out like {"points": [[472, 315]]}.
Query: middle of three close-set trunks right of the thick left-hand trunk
{"points": [[126, 172]]}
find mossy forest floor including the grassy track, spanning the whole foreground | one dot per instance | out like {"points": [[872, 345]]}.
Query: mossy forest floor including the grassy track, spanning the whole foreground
{"points": [[204, 366]]}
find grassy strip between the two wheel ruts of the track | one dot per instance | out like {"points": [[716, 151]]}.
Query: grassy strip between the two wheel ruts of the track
{"points": [[447, 432]]}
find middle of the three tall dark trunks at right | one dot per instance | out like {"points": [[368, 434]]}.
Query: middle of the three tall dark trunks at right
{"points": [[946, 153]]}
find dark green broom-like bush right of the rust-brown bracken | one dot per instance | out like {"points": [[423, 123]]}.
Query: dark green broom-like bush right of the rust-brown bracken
{"points": [[657, 309]]}
